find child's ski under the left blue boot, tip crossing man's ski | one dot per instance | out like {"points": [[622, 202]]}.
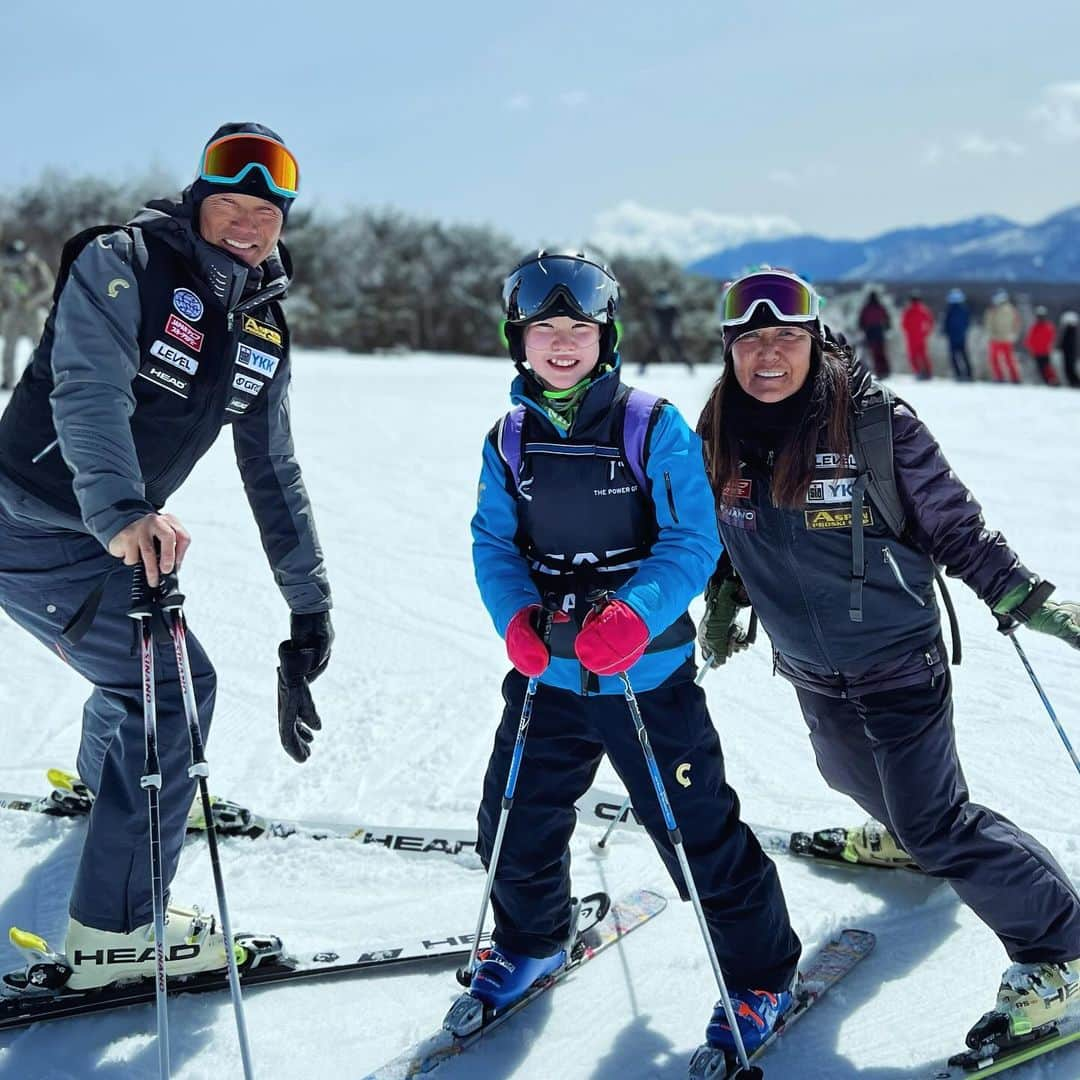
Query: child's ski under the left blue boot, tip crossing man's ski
{"points": [[625, 916]]}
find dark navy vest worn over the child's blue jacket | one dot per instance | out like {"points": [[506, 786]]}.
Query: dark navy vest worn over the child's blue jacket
{"points": [[585, 522]]}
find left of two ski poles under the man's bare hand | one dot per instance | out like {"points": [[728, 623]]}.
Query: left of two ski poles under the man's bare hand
{"points": [[143, 610]]}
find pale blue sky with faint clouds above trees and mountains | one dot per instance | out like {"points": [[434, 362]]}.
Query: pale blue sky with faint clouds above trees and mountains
{"points": [[542, 118]]}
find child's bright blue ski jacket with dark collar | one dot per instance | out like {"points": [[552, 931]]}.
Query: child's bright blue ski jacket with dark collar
{"points": [[678, 536]]}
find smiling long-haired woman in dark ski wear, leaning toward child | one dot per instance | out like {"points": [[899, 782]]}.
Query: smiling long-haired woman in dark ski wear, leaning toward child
{"points": [[860, 637]]}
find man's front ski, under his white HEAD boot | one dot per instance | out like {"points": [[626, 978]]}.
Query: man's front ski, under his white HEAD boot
{"points": [[265, 962]]}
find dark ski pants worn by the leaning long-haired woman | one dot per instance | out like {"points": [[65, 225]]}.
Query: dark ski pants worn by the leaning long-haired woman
{"points": [[895, 753]]}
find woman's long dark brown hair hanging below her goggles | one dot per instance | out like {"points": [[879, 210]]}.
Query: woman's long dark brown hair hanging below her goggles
{"points": [[827, 414]]}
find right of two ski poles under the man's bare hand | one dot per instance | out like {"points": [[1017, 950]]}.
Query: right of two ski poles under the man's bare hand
{"points": [[172, 604]]}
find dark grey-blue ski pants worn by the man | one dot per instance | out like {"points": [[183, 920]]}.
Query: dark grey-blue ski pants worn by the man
{"points": [[45, 577]]}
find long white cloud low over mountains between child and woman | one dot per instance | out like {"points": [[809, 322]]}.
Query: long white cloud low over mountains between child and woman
{"points": [[633, 229]]}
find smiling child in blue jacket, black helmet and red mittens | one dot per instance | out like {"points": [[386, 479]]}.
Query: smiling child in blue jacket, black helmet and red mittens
{"points": [[592, 489]]}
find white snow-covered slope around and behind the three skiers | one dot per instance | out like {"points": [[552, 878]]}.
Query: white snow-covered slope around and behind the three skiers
{"points": [[391, 455]]}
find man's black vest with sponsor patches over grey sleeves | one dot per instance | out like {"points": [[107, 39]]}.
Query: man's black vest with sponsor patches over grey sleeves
{"points": [[200, 369]]}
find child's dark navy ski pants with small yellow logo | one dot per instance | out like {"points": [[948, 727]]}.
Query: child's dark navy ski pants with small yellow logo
{"points": [[568, 736]]}
